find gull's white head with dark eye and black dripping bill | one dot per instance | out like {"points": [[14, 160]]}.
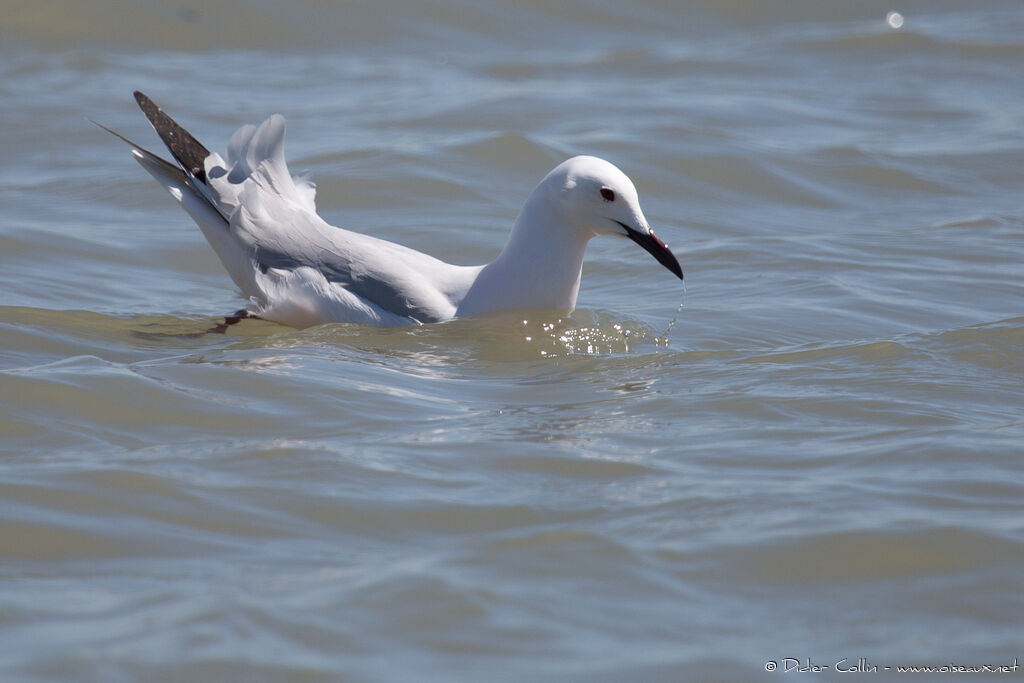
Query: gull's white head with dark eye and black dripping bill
{"points": [[596, 198]]}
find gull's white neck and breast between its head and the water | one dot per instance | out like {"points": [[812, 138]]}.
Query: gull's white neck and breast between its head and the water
{"points": [[539, 268]]}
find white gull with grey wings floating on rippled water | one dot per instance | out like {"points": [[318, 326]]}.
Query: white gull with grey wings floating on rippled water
{"points": [[297, 270]]}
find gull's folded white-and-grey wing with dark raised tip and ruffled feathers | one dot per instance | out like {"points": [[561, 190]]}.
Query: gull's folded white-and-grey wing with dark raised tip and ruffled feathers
{"points": [[275, 216]]}
